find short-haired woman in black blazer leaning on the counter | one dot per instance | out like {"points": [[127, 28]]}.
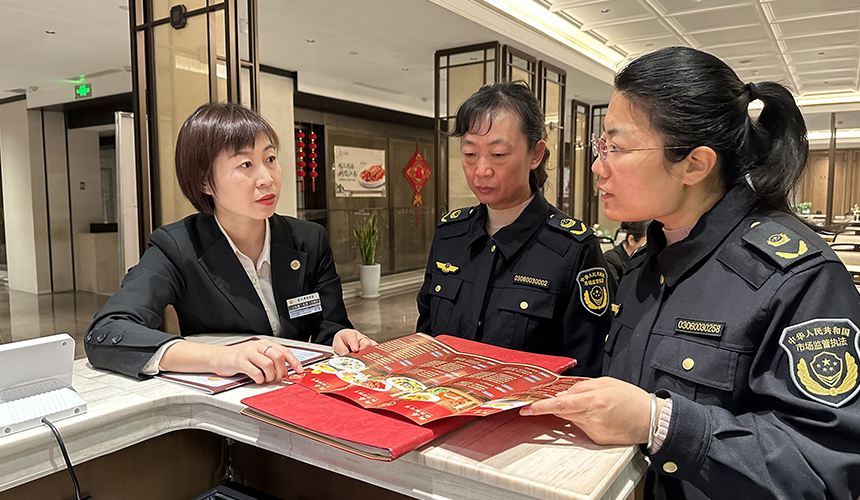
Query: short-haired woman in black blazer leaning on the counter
{"points": [[227, 167]]}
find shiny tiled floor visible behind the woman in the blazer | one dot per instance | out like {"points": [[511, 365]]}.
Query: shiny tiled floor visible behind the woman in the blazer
{"points": [[25, 315]]}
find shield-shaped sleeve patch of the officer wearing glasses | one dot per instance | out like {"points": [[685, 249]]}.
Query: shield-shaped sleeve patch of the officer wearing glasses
{"points": [[823, 357]]}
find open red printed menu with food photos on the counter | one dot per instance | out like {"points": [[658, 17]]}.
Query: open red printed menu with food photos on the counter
{"points": [[424, 380]]}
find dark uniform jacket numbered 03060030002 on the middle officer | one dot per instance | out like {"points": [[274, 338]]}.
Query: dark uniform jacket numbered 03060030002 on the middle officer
{"points": [[539, 285]]}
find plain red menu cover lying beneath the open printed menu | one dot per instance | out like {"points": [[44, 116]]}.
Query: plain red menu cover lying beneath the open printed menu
{"points": [[374, 434]]}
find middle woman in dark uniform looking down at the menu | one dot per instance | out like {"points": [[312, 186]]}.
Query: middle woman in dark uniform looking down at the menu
{"points": [[514, 271]]}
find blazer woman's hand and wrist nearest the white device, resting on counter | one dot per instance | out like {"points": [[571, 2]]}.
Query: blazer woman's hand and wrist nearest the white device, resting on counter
{"points": [[262, 360]]}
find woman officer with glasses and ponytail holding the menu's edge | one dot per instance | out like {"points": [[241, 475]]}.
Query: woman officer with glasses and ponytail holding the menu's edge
{"points": [[732, 357]]}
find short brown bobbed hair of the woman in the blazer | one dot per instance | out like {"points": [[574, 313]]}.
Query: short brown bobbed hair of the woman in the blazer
{"points": [[211, 129]]}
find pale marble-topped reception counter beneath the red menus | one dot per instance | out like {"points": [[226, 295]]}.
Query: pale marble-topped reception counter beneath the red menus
{"points": [[501, 457]]}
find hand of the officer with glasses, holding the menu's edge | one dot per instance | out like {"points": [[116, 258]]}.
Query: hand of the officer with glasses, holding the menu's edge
{"points": [[608, 410]]}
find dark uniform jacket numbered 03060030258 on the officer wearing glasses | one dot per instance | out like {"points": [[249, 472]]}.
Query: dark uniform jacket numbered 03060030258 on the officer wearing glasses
{"points": [[750, 325]]}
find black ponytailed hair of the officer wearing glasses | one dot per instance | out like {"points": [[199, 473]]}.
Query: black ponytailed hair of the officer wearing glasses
{"points": [[693, 99]]}
